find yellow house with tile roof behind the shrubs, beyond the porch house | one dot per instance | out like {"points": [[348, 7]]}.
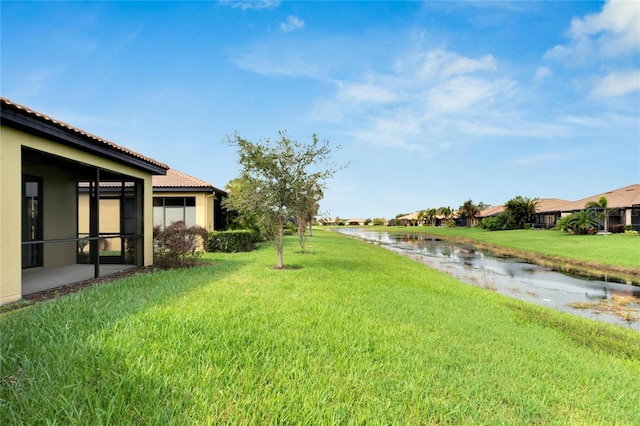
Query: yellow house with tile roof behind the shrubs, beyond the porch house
{"points": [[178, 196]]}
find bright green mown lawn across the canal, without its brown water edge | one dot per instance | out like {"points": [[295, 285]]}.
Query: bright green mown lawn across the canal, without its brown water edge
{"points": [[613, 249]]}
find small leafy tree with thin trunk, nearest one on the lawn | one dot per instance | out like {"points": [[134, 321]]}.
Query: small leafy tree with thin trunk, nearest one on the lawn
{"points": [[279, 181]]}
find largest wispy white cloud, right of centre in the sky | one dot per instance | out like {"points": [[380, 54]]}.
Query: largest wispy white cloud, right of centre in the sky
{"points": [[422, 101]]}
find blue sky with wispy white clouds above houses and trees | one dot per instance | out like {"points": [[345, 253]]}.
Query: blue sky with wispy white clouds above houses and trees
{"points": [[433, 103]]}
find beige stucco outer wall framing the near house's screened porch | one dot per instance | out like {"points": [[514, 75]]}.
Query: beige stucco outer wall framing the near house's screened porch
{"points": [[11, 141]]}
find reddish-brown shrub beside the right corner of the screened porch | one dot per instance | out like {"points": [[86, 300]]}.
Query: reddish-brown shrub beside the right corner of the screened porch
{"points": [[177, 246]]}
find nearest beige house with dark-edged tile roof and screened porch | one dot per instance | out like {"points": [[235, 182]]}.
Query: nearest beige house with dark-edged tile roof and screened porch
{"points": [[43, 164]]}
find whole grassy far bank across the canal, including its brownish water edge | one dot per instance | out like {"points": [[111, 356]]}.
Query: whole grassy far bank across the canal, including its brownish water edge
{"points": [[597, 254]]}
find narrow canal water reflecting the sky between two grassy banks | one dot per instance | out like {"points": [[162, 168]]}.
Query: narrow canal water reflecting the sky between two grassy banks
{"points": [[509, 276]]}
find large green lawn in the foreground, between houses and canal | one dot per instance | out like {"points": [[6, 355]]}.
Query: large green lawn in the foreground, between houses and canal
{"points": [[351, 334]]}
